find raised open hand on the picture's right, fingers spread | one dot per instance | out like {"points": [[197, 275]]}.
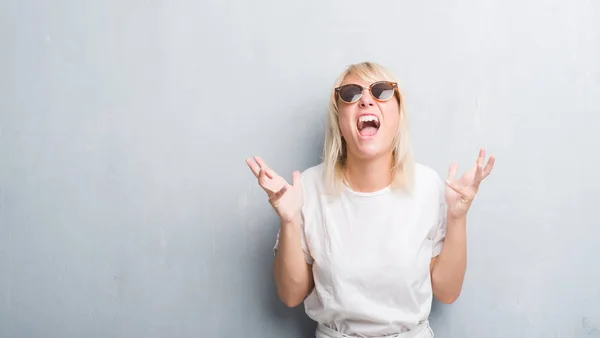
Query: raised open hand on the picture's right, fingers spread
{"points": [[461, 192]]}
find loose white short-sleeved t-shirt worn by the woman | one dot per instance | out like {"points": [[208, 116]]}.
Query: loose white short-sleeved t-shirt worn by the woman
{"points": [[370, 253]]}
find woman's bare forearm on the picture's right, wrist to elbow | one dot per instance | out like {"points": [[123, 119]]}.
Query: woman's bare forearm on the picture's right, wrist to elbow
{"points": [[450, 266]]}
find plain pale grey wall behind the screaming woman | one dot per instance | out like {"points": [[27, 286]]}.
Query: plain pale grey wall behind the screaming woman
{"points": [[126, 208]]}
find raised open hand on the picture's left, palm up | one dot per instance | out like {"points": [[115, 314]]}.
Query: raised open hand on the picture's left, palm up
{"points": [[286, 199]]}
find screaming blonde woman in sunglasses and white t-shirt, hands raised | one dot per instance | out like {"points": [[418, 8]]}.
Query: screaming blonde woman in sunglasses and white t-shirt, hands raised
{"points": [[368, 237]]}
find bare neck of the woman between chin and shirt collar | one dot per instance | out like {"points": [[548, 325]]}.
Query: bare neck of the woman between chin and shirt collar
{"points": [[369, 175]]}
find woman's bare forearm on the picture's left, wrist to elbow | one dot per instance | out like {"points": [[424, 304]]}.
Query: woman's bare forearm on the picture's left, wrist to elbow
{"points": [[293, 275]]}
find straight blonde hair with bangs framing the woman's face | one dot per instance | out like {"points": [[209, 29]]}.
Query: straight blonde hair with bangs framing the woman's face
{"points": [[334, 149]]}
